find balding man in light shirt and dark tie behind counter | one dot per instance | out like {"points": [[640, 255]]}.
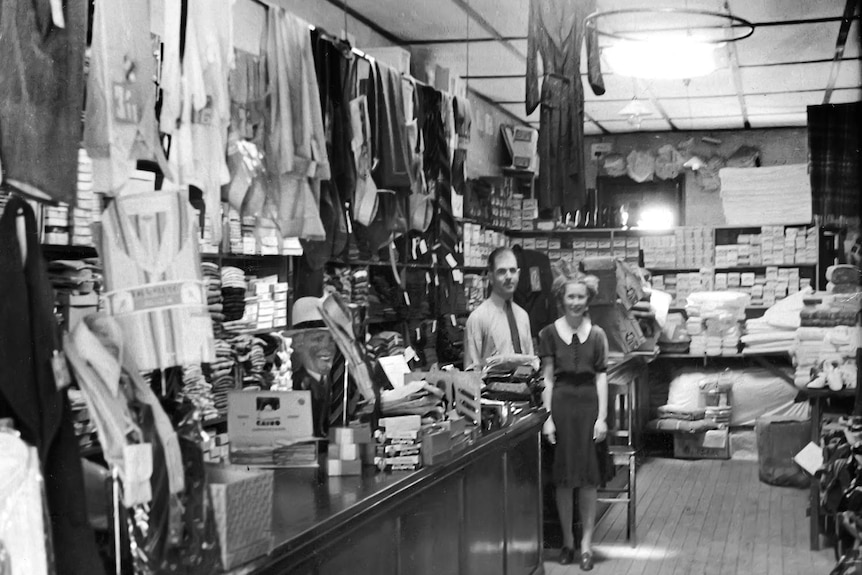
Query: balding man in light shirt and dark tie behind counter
{"points": [[498, 326]]}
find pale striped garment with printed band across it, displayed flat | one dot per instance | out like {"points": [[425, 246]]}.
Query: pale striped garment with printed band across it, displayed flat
{"points": [[152, 273]]}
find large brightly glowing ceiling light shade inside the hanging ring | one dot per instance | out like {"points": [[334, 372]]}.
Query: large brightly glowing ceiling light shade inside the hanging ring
{"points": [[678, 58]]}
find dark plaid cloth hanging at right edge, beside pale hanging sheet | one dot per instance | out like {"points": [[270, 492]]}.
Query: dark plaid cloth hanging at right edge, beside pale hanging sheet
{"points": [[835, 155]]}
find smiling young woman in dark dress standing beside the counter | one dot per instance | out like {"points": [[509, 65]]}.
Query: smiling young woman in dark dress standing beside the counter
{"points": [[574, 362]]}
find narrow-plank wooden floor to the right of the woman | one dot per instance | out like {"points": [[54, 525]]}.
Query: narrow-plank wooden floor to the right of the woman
{"points": [[706, 517]]}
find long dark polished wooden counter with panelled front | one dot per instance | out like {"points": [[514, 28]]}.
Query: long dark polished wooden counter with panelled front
{"points": [[480, 512]]}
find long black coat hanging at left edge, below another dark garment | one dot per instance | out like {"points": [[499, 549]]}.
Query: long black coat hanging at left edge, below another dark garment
{"points": [[29, 392]]}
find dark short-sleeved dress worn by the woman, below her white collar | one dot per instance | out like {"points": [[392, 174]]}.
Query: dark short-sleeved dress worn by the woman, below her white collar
{"points": [[578, 460]]}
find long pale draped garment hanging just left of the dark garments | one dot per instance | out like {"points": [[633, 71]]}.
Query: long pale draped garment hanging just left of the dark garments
{"points": [[296, 144]]}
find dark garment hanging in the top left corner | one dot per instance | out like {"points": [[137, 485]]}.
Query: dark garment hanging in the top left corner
{"points": [[41, 96]]}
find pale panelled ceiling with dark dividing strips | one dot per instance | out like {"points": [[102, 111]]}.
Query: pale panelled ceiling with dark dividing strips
{"points": [[789, 62]]}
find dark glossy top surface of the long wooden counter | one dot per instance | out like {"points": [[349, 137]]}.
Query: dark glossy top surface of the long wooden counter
{"points": [[309, 507]]}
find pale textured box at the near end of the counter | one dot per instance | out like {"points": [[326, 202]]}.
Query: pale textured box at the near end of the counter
{"points": [[242, 506]]}
